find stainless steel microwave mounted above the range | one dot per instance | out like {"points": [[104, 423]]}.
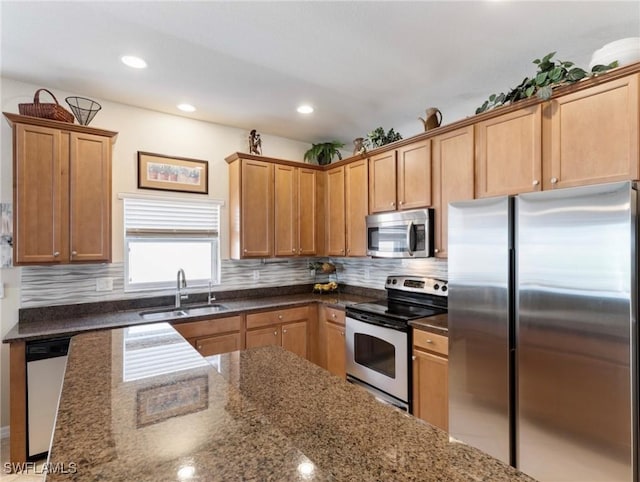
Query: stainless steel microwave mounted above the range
{"points": [[400, 234]]}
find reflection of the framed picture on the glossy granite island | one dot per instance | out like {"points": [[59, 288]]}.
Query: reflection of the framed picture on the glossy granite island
{"points": [[171, 400]]}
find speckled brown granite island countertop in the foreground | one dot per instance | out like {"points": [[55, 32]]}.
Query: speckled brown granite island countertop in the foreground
{"points": [[259, 414]]}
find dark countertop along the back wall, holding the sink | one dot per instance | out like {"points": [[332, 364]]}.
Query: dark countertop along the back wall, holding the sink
{"points": [[47, 326]]}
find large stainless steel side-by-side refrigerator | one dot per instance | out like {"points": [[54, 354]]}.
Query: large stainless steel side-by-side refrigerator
{"points": [[542, 331]]}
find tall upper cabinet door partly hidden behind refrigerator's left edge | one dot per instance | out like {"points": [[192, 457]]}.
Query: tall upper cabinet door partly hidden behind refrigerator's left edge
{"points": [[452, 178]]}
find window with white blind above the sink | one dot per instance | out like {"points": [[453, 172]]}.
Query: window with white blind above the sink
{"points": [[165, 235]]}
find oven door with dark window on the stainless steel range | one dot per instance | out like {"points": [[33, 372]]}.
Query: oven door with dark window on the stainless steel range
{"points": [[379, 357]]}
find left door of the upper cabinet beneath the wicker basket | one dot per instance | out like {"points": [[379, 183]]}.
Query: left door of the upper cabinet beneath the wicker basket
{"points": [[39, 181]]}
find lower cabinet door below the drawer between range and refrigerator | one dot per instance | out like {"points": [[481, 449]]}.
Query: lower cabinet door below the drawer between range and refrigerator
{"points": [[431, 388]]}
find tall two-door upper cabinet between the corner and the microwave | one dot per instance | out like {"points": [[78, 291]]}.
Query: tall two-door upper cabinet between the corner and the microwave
{"points": [[347, 207]]}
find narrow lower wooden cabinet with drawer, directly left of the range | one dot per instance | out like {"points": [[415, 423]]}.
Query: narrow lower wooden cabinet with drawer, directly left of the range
{"points": [[333, 355]]}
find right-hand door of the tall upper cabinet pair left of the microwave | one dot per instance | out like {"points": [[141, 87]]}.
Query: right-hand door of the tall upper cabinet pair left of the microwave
{"points": [[356, 204]]}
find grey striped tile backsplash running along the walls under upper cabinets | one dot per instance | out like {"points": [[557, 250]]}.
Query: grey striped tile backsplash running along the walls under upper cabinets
{"points": [[70, 284]]}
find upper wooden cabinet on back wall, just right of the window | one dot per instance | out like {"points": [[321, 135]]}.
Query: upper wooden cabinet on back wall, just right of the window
{"points": [[275, 208]]}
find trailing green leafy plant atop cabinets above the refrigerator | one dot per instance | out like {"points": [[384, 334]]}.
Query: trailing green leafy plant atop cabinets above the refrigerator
{"points": [[550, 74]]}
